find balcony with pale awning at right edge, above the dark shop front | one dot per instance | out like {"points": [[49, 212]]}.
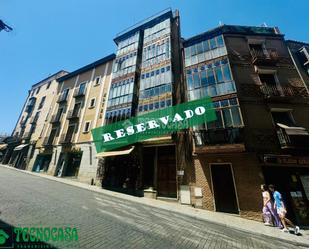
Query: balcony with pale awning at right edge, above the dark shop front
{"points": [[292, 137]]}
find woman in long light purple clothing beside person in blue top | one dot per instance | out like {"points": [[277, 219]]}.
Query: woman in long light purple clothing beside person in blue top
{"points": [[270, 215]]}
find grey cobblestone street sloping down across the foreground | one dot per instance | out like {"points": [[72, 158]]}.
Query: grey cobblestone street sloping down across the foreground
{"points": [[108, 222]]}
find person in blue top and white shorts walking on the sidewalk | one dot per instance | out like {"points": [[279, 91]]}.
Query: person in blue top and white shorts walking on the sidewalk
{"points": [[281, 210]]}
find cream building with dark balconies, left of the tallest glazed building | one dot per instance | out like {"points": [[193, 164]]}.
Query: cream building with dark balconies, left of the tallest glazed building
{"points": [[67, 147]]}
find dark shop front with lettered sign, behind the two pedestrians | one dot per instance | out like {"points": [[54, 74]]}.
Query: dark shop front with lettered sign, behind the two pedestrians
{"points": [[290, 175]]}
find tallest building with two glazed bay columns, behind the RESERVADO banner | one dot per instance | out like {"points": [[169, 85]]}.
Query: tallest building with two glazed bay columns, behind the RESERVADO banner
{"points": [[146, 77]]}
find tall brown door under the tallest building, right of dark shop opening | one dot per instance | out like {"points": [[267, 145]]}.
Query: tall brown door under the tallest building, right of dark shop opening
{"points": [[166, 180]]}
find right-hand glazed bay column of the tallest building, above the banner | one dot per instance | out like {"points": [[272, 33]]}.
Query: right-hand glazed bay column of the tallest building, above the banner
{"points": [[156, 74]]}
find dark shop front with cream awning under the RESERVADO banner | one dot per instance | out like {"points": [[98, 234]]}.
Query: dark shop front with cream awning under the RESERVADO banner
{"points": [[142, 170]]}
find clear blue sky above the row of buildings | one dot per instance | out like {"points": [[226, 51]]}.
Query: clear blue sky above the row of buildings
{"points": [[68, 34]]}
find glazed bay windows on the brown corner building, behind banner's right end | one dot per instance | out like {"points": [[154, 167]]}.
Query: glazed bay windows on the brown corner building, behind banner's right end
{"points": [[208, 73]]}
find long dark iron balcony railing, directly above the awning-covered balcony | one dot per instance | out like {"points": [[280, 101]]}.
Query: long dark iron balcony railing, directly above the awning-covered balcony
{"points": [[282, 91]]}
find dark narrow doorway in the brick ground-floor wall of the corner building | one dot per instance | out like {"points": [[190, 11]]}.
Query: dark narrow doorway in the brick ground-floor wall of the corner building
{"points": [[224, 189]]}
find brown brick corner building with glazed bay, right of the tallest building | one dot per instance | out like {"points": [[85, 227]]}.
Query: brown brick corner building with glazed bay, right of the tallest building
{"points": [[261, 131]]}
